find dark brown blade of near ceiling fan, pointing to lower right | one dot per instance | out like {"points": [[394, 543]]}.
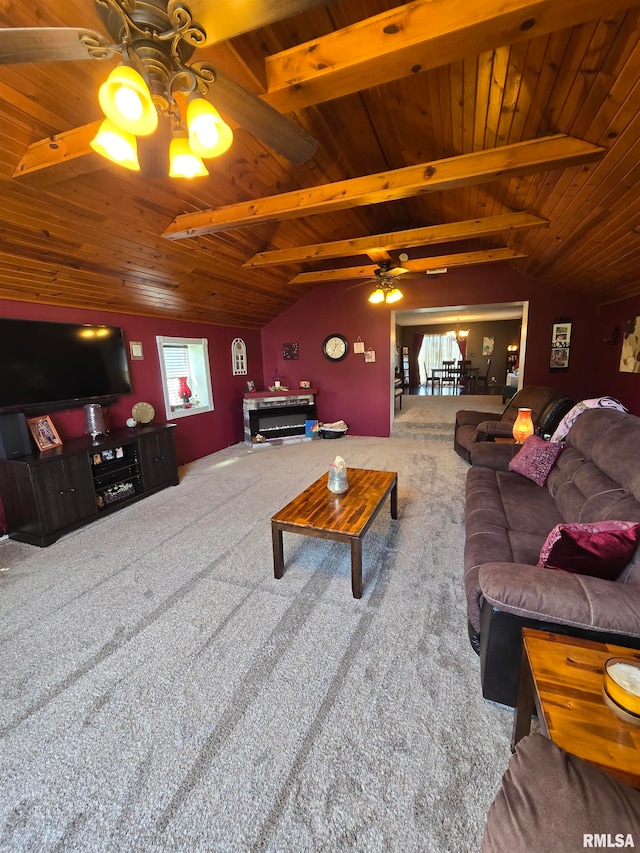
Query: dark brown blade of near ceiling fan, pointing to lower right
{"points": [[261, 119]]}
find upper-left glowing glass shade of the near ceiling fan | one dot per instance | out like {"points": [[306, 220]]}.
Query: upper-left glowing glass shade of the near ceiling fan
{"points": [[125, 99]]}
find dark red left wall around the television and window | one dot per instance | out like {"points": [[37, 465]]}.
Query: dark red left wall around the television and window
{"points": [[196, 436]]}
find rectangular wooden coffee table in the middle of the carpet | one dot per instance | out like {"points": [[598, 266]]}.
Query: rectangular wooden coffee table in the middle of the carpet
{"points": [[344, 518]]}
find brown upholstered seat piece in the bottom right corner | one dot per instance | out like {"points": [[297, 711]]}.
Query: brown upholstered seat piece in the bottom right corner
{"points": [[551, 800]]}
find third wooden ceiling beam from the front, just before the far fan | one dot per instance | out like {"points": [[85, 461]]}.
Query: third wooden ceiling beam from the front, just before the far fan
{"points": [[395, 240]]}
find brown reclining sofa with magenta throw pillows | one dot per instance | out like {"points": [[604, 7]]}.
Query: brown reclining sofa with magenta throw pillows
{"points": [[508, 517]]}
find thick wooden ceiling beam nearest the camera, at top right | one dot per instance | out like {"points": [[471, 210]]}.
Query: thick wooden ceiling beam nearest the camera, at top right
{"points": [[412, 38]]}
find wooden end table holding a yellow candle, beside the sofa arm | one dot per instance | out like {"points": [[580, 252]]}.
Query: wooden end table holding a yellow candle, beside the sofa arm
{"points": [[563, 676]]}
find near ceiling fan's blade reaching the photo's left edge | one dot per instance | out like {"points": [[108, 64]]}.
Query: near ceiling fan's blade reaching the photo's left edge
{"points": [[46, 44]]}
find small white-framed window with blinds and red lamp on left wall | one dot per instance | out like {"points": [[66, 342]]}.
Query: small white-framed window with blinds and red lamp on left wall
{"points": [[186, 380]]}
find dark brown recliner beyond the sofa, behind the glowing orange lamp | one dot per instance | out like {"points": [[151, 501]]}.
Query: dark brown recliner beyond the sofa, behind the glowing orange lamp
{"points": [[548, 407]]}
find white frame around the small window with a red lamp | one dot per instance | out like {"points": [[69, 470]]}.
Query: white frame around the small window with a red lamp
{"points": [[199, 377]]}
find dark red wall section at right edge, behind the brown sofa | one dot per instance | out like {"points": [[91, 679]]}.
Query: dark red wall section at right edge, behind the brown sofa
{"points": [[623, 386]]}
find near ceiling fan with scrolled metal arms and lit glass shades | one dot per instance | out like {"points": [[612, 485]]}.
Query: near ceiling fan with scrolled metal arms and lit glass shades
{"points": [[155, 40]]}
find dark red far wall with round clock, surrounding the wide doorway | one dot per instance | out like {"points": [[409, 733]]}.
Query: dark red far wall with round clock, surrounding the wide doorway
{"points": [[360, 392]]}
